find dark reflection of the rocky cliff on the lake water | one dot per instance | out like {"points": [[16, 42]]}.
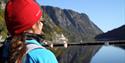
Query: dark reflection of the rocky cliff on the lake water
{"points": [[76, 54]]}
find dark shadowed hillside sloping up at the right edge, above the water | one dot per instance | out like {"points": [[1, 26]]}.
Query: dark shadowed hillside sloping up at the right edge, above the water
{"points": [[116, 34]]}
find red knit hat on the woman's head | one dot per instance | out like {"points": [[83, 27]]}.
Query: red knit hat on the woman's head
{"points": [[21, 15]]}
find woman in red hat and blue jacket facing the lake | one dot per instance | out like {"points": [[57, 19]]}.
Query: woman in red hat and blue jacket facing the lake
{"points": [[23, 20]]}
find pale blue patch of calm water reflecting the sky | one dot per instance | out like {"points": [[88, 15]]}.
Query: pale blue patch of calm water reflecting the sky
{"points": [[109, 54]]}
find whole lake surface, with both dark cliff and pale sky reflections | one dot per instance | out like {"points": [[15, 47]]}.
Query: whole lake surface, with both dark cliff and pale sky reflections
{"points": [[90, 54]]}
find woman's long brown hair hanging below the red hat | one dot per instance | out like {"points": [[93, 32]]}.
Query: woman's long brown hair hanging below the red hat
{"points": [[17, 49]]}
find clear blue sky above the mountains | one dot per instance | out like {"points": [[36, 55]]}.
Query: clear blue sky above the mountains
{"points": [[106, 14]]}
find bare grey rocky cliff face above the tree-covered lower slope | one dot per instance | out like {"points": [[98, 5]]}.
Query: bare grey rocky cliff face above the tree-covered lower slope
{"points": [[75, 26]]}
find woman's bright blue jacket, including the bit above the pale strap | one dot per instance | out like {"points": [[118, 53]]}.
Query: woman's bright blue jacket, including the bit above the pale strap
{"points": [[39, 55]]}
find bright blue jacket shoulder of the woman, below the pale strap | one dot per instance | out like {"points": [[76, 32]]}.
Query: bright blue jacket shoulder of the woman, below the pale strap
{"points": [[42, 54]]}
